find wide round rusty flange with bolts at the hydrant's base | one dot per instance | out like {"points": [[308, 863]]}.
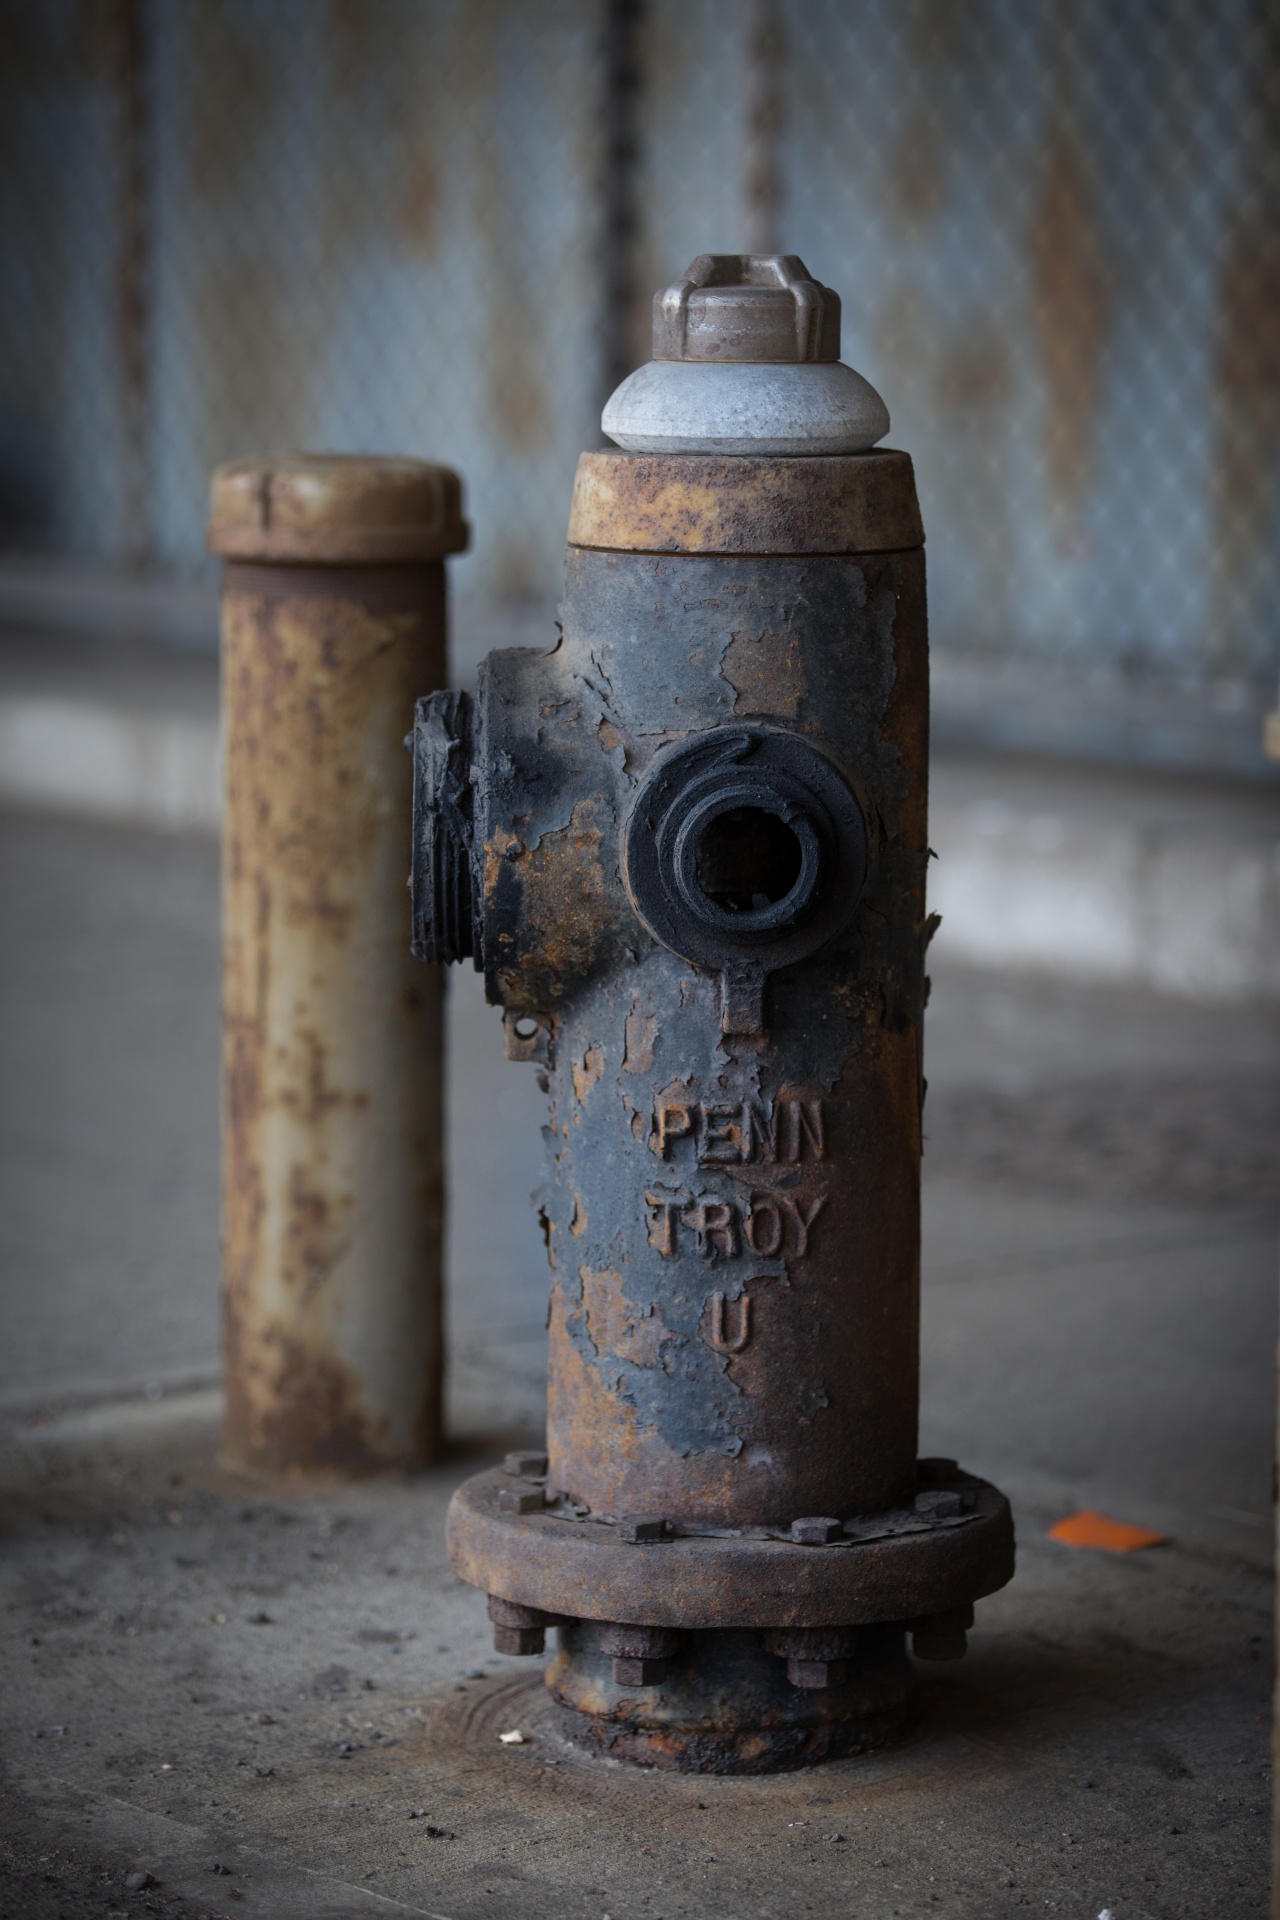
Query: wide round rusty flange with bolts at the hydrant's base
{"points": [[882, 1568]]}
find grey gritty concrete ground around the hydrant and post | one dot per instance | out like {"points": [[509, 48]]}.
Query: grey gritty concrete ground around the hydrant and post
{"points": [[229, 1698]]}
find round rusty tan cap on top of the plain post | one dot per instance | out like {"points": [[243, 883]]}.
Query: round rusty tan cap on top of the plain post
{"points": [[337, 510]]}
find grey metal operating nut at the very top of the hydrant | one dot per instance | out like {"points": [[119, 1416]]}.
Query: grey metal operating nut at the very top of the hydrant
{"points": [[761, 308]]}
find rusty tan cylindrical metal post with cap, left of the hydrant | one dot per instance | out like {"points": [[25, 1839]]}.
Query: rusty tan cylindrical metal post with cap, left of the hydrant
{"points": [[333, 619]]}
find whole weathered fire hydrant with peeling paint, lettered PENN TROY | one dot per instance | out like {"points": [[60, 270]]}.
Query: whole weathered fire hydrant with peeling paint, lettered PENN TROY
{"points": [[686, 848]]}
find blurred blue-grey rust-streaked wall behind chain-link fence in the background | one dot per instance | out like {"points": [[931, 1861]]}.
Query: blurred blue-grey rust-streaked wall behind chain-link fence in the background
{"points": [[437, 226]]}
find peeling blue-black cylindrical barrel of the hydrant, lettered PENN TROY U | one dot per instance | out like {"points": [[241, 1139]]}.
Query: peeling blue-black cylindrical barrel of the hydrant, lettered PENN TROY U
{"points": [[734, 1318]]}
